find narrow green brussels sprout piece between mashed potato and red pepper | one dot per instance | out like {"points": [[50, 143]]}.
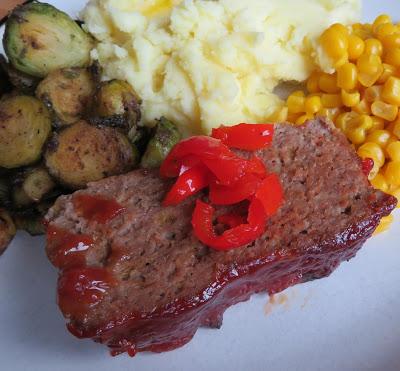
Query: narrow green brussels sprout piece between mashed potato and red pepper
{"points": [[165, 137]]}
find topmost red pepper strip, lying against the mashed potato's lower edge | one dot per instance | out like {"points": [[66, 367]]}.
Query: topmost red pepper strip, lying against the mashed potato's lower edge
{"points": [[249, 137]]}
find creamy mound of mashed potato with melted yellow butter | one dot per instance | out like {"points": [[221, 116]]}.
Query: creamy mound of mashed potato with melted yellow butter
{"points": [[203, 63]]}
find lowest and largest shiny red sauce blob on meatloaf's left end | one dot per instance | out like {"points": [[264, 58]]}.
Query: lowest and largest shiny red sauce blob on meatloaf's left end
{"points": [[79, 289]]}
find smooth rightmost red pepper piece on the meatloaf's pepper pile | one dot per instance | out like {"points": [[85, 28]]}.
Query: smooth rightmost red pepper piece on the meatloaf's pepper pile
{"points": [[270, 194]]}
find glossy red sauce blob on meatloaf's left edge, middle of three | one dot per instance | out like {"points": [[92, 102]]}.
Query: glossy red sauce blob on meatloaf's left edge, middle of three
{"points": [[66, 249]]}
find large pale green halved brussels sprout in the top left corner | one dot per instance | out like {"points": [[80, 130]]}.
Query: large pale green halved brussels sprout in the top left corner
{"points": [[39, 39]]}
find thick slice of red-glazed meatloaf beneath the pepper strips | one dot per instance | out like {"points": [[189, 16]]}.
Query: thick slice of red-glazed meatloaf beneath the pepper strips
{"points": [[133, 275]]}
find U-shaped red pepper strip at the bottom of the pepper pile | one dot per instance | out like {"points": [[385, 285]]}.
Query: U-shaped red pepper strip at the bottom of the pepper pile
{"points": [[202, 222]]}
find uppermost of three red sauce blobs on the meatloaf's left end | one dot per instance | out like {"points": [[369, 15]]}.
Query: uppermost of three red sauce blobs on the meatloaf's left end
{"points": [[95, 208]]}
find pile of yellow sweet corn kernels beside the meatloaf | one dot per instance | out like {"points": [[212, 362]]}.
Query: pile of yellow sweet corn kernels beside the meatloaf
{"points": [[362, 96]]}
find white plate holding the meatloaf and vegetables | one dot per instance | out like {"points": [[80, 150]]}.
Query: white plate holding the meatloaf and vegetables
{"points": [[348, 321]]}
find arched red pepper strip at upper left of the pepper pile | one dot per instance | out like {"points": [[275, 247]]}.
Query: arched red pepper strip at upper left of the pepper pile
{"points": [[202, 147]]}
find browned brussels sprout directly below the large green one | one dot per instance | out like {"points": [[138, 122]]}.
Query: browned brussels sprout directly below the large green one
{"points": [[67, 92]]}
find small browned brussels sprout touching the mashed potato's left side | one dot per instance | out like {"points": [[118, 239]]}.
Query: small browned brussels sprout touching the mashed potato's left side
{"points": [[117, 105]]}
